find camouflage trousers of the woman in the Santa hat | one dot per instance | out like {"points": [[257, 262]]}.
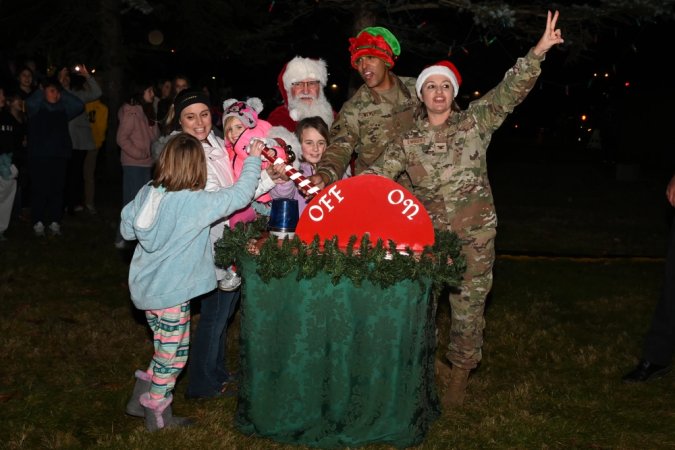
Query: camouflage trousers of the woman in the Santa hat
{"points": [[468, 303]]}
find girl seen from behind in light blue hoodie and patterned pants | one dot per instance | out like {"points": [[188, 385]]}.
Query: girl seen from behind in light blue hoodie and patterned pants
{"points": [[173, 261]]}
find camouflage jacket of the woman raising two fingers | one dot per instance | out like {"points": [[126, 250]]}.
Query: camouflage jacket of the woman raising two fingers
{"points": [[447, 164]]}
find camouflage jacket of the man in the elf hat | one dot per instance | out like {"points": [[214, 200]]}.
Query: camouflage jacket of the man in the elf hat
{"points": [[365, 125]]}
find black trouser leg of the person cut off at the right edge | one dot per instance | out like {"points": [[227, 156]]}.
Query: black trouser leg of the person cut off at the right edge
{"points": [[659, 344]]}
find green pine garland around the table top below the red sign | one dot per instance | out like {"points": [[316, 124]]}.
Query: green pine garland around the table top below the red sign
{"points": [[441, 263]]}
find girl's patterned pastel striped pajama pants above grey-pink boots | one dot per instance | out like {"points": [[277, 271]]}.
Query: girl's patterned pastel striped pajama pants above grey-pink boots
{"points": [[171, 335]]}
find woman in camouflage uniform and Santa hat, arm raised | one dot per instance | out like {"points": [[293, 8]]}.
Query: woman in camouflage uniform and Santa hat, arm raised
{"points": [[445, 157]]}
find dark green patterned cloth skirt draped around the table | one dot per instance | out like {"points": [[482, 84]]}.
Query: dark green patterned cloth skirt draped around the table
{"points": [[336, 366]]}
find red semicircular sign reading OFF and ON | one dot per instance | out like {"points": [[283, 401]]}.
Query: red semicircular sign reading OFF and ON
{"points": [[367, 204]]}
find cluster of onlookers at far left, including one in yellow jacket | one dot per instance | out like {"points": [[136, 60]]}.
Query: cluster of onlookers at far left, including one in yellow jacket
{"points": [[52, 128]]}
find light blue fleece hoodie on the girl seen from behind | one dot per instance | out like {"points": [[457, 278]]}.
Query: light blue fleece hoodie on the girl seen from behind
{"points": [[173, 261]]}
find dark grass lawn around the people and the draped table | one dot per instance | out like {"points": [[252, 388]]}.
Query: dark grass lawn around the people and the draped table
{"points": [[560, 331]]}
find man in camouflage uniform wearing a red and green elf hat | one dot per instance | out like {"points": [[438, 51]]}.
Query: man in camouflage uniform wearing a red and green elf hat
{"points": [[375, 112]]}
